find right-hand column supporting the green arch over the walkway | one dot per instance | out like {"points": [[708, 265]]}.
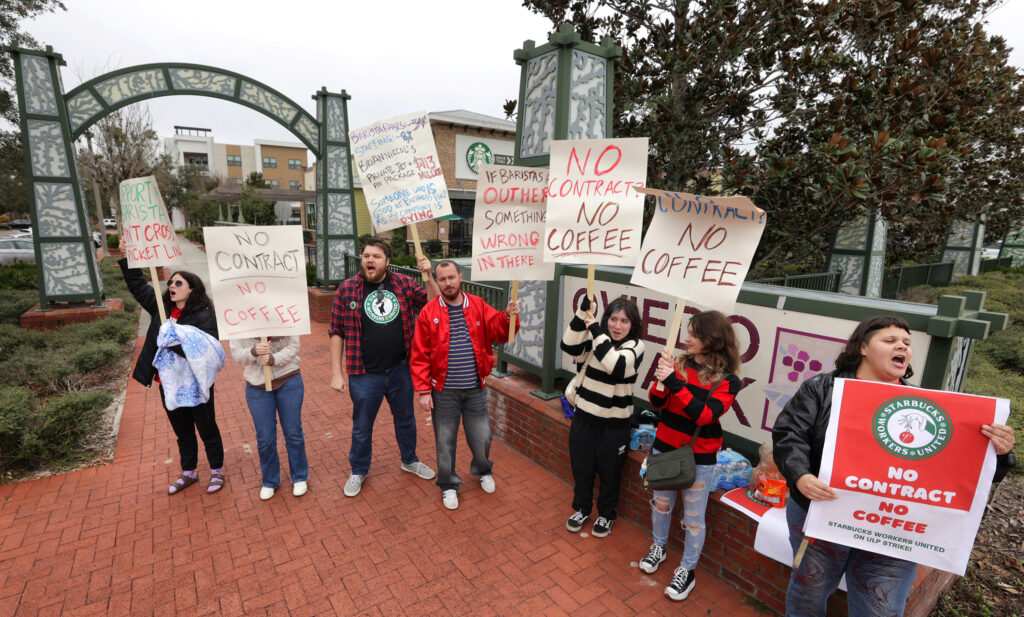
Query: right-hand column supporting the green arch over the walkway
{"points": [[335, 202]]}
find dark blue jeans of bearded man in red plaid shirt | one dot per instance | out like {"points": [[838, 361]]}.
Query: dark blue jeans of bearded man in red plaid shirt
{"points": [[368, 391]]}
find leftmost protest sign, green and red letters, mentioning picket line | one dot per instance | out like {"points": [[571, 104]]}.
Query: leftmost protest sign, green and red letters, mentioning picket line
{"points": [[148, 238]]}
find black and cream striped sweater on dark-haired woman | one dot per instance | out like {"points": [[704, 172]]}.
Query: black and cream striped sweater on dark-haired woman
{"points": [[607, 389]]}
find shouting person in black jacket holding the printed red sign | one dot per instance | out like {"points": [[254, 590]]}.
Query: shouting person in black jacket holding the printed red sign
{"points": [[878, 586]]}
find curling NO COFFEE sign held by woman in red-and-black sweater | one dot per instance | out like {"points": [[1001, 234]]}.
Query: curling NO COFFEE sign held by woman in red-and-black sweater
{"points": [[700, 248]]}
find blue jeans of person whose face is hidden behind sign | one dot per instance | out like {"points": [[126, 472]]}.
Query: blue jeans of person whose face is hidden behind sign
{"points": [[266, 407]]}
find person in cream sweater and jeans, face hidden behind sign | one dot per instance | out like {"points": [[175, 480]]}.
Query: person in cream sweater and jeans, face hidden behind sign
{"points": [[284, 400]]}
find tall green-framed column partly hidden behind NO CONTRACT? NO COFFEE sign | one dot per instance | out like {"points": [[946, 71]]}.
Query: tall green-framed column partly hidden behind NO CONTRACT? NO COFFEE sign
{"points": [[566, 93]]}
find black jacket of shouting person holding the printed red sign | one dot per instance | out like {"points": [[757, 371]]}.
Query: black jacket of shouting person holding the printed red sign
{"points": [[799, 434]]}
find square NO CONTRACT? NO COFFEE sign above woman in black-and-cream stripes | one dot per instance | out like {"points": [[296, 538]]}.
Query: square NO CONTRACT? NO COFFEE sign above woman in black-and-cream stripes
{"points": [[595, 210]]}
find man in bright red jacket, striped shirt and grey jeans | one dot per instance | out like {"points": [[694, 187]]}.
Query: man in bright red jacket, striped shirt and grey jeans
{"points": [[452, 356]]}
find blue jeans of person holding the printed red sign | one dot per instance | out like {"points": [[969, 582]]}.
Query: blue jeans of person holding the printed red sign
{"points": [[877, 586]]}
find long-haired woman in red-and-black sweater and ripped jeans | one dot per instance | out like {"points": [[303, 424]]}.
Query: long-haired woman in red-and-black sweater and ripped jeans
{"points": [[692, 395]]}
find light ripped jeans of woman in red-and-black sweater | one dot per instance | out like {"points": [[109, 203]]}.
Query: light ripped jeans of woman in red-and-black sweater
{"points": [[695, 506]]}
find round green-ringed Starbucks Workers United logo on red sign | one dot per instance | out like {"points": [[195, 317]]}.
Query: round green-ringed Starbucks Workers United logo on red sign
{"points": [[912, 428]]}
